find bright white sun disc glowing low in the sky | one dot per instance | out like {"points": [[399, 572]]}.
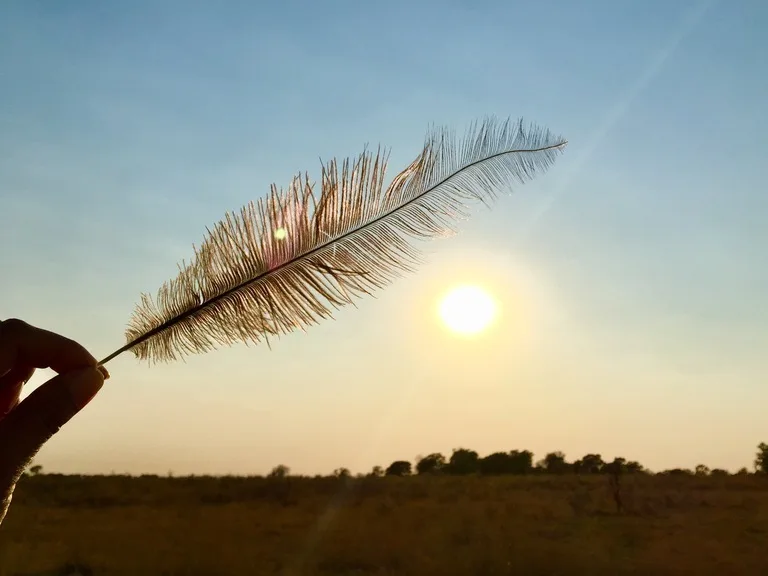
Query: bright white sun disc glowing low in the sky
{"points": [[467, 310]]}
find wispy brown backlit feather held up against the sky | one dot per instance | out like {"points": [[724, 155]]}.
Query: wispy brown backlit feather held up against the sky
{"points": [[290, 259]]}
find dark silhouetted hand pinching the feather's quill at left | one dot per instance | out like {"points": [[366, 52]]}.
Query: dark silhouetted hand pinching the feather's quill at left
{"points": [[26, 426]]}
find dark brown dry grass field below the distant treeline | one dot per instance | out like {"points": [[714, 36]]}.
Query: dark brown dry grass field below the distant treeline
{"points": [[536, 525]]}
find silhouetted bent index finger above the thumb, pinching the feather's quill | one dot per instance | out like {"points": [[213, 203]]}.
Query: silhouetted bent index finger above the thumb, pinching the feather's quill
{"points": [[22, 344]]}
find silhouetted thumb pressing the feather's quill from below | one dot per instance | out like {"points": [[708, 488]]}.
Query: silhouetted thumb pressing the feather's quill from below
{"points": [[39, 416]]}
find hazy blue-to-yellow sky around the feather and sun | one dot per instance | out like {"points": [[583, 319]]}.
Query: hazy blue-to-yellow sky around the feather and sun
{"points": [[631, 276]]}
